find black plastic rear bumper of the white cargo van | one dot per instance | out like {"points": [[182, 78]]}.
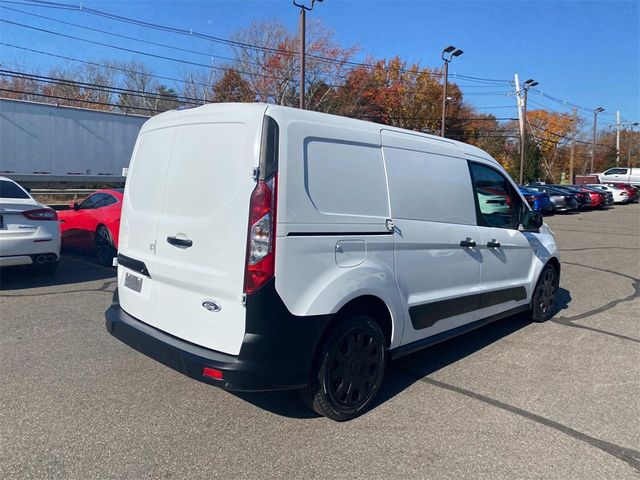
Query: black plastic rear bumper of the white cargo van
{"points": [[277, 352]]}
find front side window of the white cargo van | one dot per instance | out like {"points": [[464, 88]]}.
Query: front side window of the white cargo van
{"points": [[497, 202]]}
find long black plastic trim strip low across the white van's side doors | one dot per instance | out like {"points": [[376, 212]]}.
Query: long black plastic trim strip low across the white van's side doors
{"points": [[428, 314]]}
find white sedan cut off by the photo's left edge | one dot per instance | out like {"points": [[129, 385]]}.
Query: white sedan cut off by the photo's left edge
{"points": [[29, 231]]}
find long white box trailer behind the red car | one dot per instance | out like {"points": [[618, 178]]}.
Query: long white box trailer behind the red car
{"points": [[42, 142]]}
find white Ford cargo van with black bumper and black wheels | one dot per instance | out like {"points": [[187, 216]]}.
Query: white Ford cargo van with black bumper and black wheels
{"points": [[265, 248]]}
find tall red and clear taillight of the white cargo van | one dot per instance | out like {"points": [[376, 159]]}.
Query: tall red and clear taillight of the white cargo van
{"points": [[260, 263]]}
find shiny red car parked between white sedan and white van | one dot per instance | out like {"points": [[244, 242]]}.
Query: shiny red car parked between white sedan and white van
{"points": [[93, 224]]}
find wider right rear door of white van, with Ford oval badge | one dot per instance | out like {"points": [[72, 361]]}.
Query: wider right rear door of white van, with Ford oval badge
{"points": [[201, 242]]}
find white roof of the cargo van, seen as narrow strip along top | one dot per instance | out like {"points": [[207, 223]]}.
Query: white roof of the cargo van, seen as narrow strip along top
{"points": [[198, 114]]}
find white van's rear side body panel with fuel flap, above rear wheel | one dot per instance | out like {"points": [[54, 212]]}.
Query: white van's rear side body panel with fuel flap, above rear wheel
{"points": [[332, 242]]}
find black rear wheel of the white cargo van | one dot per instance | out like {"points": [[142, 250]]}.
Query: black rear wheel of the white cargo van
{"points": [[348, 370]]}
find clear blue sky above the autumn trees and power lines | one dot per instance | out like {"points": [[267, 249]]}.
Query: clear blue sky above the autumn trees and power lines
{"points": [[586, 53]]}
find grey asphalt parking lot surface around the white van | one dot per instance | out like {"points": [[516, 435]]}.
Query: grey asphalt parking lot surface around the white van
{"points": [[511, 400]]}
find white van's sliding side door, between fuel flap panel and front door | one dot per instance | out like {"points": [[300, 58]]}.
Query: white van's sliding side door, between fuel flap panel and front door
{"points": [[437, 262]]}
